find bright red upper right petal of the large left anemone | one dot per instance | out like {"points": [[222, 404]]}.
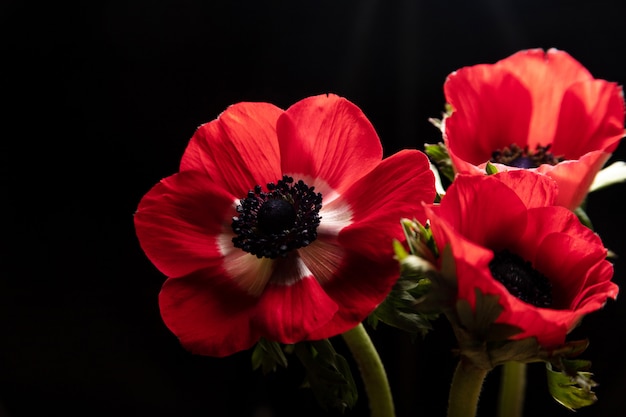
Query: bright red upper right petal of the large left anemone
{"points": [[330, 138]]}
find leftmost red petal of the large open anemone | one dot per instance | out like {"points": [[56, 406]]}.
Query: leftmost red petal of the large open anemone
{"points": [[178, 221]]}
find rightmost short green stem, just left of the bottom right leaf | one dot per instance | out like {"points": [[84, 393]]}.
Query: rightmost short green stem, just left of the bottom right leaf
{"points": [[512, 386]]}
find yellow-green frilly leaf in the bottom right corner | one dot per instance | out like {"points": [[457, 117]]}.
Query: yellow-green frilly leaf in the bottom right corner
{"points": [[572, 385]]}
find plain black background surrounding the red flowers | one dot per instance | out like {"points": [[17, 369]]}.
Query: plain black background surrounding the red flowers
{"points": [[99, 101]]}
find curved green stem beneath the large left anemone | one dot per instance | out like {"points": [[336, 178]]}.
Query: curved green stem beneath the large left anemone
{"points": [[372, 371]]}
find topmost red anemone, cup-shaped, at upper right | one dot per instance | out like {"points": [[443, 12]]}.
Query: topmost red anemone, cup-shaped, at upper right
{"points": [[534, 110]]}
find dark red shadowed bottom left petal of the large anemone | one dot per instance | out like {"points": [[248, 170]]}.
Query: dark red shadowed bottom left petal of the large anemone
{"points": [[210, 315]]}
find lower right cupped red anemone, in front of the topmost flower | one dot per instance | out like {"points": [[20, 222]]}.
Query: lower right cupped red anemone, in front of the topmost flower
{"points": [[508, 240]]}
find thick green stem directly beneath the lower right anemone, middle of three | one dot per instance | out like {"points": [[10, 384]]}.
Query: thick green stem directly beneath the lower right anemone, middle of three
{"points": [[465, 390]]}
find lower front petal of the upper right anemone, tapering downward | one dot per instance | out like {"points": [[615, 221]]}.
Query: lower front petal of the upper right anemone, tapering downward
{"points": [[575, 177]]}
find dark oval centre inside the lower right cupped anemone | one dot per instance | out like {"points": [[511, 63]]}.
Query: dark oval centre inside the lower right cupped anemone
{"points": [[521, 279]]}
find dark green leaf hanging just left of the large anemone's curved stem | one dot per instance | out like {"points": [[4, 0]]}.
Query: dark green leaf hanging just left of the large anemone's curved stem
{"points": [[328, 375]]}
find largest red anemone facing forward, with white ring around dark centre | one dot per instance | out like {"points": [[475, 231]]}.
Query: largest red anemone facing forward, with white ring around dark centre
{"points": [[279, 224]]}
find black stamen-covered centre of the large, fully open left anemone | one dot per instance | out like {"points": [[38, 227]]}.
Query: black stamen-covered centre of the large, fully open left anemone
{"points": [[273, 223]]}
